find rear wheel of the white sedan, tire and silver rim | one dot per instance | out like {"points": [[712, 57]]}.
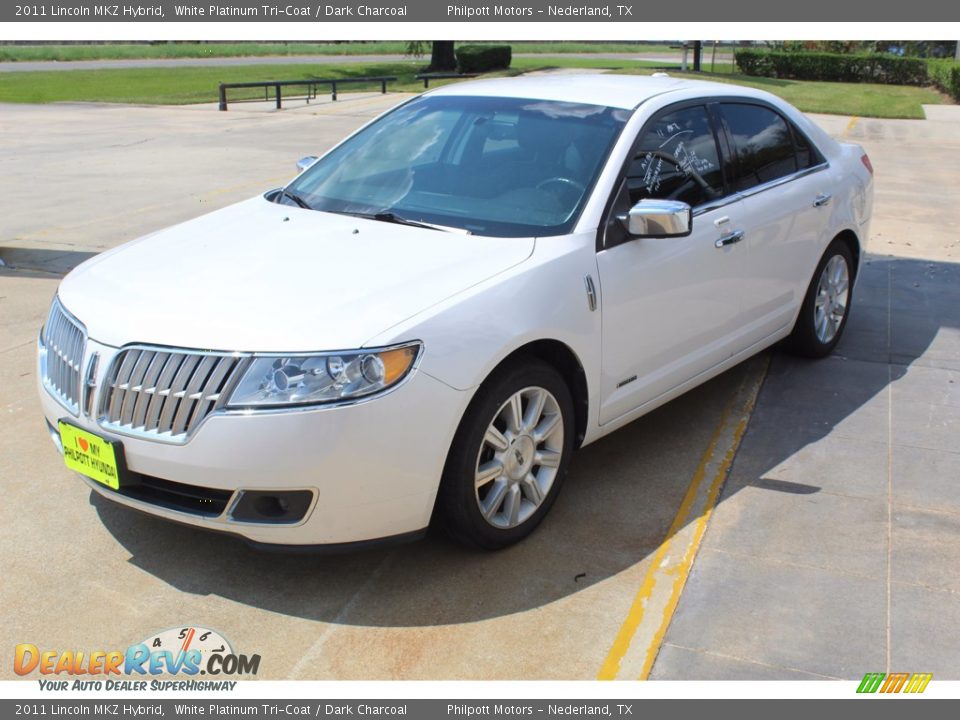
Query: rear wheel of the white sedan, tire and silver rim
{"points": [[826, 305]]}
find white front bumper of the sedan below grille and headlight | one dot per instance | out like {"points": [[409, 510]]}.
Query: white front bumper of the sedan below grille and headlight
{"points": [[373, 467]]}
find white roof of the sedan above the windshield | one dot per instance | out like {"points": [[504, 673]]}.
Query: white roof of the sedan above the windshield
{"points": [[620, 91]]}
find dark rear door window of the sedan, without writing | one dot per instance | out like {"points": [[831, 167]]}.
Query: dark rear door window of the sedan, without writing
{"points": [[763, 144]]}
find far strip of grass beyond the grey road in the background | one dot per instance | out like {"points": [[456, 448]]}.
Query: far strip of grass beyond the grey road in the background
{"points": [[14, 53]]}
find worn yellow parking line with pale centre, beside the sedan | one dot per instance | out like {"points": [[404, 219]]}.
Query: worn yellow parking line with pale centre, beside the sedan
{"points": [[637, 643]]}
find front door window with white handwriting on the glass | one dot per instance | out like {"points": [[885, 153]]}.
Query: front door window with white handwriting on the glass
{"points": [[677, 160]]}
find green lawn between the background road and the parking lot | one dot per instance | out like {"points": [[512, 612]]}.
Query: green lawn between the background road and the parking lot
{"points": [[185, 85]]}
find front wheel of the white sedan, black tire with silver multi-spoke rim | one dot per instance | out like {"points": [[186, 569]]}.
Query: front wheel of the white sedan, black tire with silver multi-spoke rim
{"points": [[494, 492]]}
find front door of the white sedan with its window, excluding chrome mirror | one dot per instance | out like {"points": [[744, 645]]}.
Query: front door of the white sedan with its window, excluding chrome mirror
{"points": [[671, 306]]}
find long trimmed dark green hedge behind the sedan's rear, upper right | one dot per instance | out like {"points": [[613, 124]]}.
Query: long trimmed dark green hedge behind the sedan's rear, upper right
{"points": [[833, 67]]}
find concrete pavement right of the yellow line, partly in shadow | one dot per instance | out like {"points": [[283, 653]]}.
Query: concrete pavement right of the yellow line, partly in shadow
{"points": [[856, 457]]}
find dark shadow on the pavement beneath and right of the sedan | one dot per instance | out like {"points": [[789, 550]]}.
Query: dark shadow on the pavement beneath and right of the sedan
{"points": [[619, 499]]}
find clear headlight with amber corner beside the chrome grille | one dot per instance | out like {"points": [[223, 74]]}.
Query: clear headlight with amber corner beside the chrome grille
{"points": [[322, 377]]}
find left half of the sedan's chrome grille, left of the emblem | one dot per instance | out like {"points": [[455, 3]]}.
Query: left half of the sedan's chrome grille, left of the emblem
{"points": [[62, 341]]}
